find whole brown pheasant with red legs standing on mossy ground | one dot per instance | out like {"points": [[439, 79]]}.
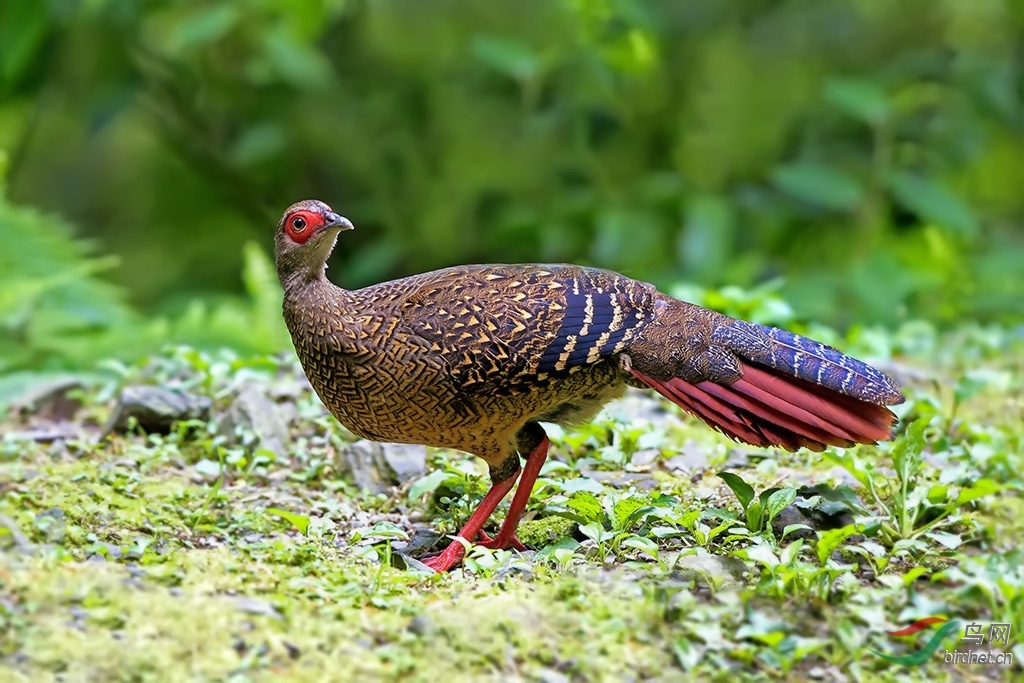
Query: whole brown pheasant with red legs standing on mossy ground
{"points": [[476, 358]]}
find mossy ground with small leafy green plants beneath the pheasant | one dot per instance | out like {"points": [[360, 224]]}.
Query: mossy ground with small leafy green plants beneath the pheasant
{"points": [[663, 551]]}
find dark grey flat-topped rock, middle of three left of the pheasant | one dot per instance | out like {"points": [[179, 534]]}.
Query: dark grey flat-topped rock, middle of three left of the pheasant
{"points": [[156, 409]]}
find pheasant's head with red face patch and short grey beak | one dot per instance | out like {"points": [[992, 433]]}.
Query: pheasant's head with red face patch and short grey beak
{"points": [[307, 235]]}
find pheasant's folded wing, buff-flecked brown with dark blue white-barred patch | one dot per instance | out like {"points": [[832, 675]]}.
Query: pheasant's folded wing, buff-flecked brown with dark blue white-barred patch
{"points": [[513, 329]]}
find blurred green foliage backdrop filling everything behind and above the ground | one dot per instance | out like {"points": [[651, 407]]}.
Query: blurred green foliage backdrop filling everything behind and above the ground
{"points": [[866, 156]]}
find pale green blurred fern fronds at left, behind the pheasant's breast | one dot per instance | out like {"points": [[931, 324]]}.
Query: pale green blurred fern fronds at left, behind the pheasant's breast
{"points": [[58, 313]]}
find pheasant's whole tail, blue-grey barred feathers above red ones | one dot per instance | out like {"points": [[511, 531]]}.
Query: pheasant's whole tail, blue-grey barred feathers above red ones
{"points": [[794, 393]]}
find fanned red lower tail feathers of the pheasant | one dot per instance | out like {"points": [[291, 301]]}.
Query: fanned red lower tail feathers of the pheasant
{"points": [[770, 409]]}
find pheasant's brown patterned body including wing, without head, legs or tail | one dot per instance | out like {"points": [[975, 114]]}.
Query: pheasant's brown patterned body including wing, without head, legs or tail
{"points": [[464, 358]]}
